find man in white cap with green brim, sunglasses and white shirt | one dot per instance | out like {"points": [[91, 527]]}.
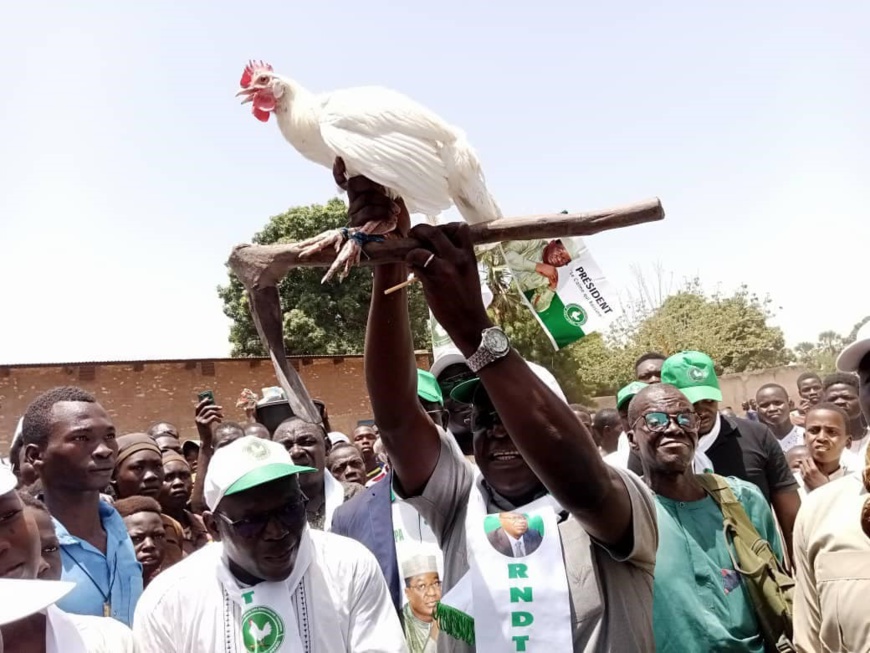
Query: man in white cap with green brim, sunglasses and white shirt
{"points": [[269, 583]]}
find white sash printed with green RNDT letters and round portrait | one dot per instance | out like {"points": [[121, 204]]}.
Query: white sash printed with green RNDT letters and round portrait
{"points": [[516, 603]]}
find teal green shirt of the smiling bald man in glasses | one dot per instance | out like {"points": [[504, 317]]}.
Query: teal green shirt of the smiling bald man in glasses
{"points": [[700, 602]]}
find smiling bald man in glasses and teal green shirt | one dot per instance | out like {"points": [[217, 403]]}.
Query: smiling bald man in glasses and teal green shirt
{"points": [[701, 602]]}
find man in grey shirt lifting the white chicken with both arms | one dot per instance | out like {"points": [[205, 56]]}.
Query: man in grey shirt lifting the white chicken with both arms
{"points": [[532, 453]]}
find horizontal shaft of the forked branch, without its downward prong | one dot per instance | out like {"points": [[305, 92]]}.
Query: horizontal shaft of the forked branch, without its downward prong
{"points": [[265, 265]]}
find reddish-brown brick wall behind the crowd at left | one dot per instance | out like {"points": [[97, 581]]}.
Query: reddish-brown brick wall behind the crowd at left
{"points": [[137, 393]]}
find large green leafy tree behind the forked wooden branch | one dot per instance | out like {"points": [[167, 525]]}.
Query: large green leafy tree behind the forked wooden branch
{"points": [[328, 319]]}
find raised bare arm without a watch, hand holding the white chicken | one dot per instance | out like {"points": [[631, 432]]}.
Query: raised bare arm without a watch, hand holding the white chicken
{"points": [[409, 436]]}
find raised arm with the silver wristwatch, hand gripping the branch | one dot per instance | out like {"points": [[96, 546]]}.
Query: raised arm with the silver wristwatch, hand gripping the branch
{"points": [[558, 448]]}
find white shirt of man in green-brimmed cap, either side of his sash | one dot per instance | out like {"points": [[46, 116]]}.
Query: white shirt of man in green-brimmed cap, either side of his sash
{"points": [[182, 610]]}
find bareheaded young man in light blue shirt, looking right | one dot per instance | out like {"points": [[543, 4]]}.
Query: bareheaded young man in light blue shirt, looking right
{"points": [[70, 441]]}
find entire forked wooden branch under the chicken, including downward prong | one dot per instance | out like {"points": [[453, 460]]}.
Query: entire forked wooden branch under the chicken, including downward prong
{"points": [[261, 267]]}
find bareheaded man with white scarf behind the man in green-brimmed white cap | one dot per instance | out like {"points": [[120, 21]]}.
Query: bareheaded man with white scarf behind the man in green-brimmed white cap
{"points": [[306, 444]]}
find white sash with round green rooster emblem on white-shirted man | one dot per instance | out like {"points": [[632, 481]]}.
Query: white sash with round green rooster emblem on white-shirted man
{"points": [[269, 617]]}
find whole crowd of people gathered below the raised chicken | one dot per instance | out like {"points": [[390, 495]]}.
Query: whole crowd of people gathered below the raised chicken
{"points": [[479, 511]]}
